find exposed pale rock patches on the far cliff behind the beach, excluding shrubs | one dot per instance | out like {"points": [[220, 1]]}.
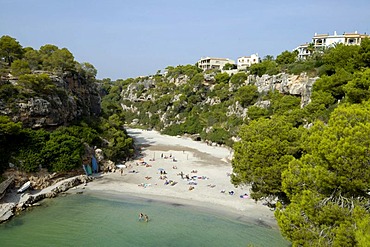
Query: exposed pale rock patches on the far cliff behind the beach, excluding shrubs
{"points": [[171, 101]]}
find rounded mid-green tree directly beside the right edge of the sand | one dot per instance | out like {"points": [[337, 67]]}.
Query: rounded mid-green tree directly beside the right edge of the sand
{"points": [[265, 145]]}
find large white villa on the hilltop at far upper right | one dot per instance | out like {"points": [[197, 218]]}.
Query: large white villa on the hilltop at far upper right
{"points": [[323, 41]]}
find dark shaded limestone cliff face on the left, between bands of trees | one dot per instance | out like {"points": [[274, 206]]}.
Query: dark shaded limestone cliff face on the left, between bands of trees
{"points": [[72, 99]]}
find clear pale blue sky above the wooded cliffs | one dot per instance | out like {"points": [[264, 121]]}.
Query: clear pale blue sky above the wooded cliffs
{"points": [[131, 38]]}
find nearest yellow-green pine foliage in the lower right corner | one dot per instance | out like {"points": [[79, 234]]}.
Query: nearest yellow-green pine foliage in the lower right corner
{"points": [[328, 186]]}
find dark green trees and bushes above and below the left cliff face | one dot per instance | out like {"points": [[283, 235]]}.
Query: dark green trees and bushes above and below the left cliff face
{"points": [[62, 149]]}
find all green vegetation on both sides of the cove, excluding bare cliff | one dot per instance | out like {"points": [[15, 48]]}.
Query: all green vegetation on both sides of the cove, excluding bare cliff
{"points": [[311, 164]]}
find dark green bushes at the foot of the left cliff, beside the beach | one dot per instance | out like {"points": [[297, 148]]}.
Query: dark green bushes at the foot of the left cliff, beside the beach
{"points": [[62, 149]]}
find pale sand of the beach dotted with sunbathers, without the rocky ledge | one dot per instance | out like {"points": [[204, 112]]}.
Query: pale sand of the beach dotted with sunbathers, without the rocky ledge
{"points": [[210, 162]]}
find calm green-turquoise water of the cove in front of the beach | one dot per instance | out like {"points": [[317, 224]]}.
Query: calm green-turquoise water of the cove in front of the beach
{"points": [[86, 220]]}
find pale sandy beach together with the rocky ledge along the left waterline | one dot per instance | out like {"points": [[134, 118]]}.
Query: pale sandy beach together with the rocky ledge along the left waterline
{"points": [[208, 168]]}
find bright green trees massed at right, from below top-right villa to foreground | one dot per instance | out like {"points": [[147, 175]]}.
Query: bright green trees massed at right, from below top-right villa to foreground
{"points": [[319, 176]]}
